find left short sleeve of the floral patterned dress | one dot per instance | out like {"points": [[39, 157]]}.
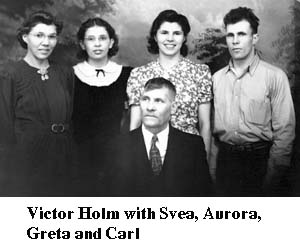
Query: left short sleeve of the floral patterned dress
{"points": [[134, 87]]}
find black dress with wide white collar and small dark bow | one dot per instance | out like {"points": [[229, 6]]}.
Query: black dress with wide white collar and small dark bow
{"points": [[97, 116]]}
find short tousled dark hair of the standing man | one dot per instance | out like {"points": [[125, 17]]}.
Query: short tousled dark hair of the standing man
{"points": [[239, 14]]}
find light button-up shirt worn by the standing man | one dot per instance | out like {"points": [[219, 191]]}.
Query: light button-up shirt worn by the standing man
{"points": [[256, 106]]}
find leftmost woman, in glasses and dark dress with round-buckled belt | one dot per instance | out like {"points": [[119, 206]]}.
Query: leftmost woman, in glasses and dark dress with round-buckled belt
{"points": [[35, 112]]}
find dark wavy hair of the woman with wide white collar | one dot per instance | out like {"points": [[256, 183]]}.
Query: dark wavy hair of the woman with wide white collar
{"points": [[82, 54]]}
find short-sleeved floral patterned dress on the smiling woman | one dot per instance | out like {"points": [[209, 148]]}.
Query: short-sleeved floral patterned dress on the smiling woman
{"points": [[193, 86]]}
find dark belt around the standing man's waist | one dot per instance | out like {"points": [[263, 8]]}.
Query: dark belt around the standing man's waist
{"points": [[247, 147]]}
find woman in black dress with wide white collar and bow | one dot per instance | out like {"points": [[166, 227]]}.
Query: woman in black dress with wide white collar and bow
{"points": [[100, 95]]}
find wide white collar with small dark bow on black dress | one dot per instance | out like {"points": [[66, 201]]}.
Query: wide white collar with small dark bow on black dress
{"points": [[88, 74]]}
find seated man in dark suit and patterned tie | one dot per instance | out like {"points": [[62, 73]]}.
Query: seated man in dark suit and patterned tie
{"points": [[157, 159]]}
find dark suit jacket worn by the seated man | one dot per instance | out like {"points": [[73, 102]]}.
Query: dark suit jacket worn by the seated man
{"points": [[184, 171]]}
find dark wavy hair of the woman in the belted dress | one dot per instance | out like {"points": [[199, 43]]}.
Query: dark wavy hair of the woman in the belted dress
{"points": [[35, 18]]}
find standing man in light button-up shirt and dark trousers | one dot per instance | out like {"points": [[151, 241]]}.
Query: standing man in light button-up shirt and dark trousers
{"points": [[254, 117]]}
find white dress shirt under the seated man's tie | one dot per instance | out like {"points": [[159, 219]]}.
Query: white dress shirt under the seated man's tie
{"points": [[162, 142]]}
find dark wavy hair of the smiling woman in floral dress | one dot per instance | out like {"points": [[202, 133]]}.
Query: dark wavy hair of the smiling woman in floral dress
{"points": [[168, 16]]}
